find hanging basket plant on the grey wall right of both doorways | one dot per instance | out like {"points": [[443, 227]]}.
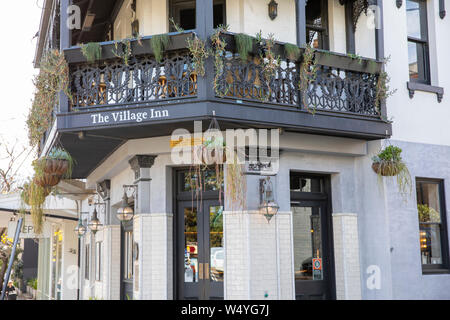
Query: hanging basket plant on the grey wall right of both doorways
{"points": [[388, 163]]}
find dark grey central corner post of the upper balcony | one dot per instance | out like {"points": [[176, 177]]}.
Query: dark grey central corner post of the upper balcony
{"points": [[205, 28]]}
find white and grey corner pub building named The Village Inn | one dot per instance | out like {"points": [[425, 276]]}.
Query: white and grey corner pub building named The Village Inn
{"points": [[340, 232]]}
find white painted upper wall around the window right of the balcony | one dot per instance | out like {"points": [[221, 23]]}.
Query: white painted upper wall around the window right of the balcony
{"points": [[421, 119]]}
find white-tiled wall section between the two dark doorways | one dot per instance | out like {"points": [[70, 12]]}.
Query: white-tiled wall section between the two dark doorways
{"points": [[258, 256]]}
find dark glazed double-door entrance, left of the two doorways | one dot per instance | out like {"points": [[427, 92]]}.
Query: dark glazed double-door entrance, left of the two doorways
{"points": [[199, 250]]}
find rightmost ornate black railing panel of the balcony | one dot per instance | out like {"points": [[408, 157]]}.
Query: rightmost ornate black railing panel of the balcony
{"points": [[343, 91]]}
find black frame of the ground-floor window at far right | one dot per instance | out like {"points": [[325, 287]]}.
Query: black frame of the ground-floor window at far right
{"points": [[444, 267]]}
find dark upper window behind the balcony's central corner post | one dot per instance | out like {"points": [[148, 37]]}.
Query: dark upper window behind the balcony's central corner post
{"points": [[183, 13]]}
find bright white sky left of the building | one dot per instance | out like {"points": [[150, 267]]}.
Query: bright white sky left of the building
{"points": [[19, 23]]}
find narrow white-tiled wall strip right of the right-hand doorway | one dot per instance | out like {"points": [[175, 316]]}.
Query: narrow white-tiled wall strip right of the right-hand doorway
{"points": [[346, 253]]}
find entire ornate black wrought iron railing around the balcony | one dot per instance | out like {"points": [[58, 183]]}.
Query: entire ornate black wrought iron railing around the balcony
{"points": [[343, 84]]}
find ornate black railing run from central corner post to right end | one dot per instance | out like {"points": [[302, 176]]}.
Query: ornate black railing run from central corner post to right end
{"points": [[333, 89]]}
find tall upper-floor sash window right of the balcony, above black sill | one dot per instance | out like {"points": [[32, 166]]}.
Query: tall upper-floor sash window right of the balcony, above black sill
{"points": [[418, 52]]}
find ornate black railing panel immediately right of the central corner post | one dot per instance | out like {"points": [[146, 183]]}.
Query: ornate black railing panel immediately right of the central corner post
{"points": [[247, 81]]}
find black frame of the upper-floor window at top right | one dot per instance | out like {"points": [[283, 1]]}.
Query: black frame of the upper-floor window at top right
{"points": [[423, 57]]}
